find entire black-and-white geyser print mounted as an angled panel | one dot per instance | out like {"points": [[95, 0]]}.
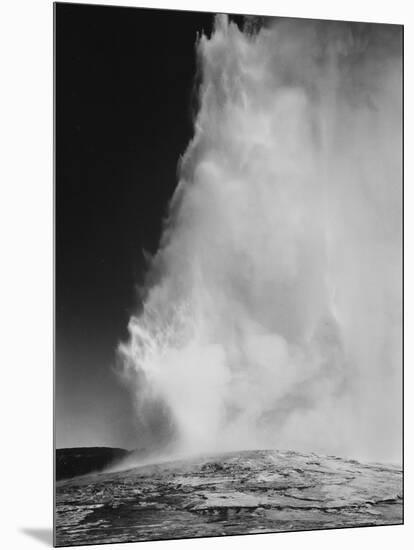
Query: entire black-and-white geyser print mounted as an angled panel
{"points": [[228, 247]]}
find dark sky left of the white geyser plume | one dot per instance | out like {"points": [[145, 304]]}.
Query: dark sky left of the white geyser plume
{"points": [[124, 104]]}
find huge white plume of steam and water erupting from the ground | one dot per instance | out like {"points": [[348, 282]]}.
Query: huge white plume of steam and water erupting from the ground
{"points": [[272, 309]]}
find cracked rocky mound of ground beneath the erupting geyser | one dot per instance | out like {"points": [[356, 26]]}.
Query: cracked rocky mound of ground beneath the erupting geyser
{"points": [[234, 493]]}
